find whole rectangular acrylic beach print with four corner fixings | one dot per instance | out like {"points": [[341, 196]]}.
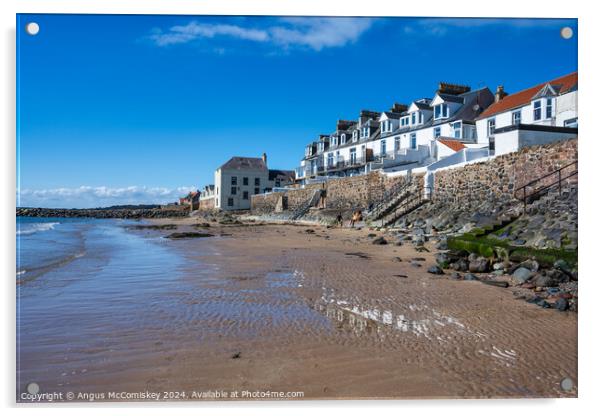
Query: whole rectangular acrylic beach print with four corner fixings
{"points": [[289, 208]]}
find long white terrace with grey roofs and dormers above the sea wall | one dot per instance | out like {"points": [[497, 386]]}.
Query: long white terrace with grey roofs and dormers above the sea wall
{"points": [[400, 139]]}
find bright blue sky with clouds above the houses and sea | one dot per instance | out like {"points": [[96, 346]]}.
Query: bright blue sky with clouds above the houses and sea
{"points": [[138, 109]]}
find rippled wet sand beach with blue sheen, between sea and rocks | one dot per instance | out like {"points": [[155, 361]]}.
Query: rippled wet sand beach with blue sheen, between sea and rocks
{"points": [[274, 308]]}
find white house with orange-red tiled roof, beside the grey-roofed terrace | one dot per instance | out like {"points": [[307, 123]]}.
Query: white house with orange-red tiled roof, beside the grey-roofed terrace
{"points": [[541, 114]]}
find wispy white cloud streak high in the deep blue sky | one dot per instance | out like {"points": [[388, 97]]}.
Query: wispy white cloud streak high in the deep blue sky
{"points": [[315, 33]]}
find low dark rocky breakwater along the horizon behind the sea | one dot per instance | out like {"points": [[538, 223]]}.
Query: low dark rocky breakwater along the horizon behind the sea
{"points": [[111, 212]]}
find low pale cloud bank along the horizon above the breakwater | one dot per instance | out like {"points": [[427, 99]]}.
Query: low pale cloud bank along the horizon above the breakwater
{"points": [[101, 196]]}
